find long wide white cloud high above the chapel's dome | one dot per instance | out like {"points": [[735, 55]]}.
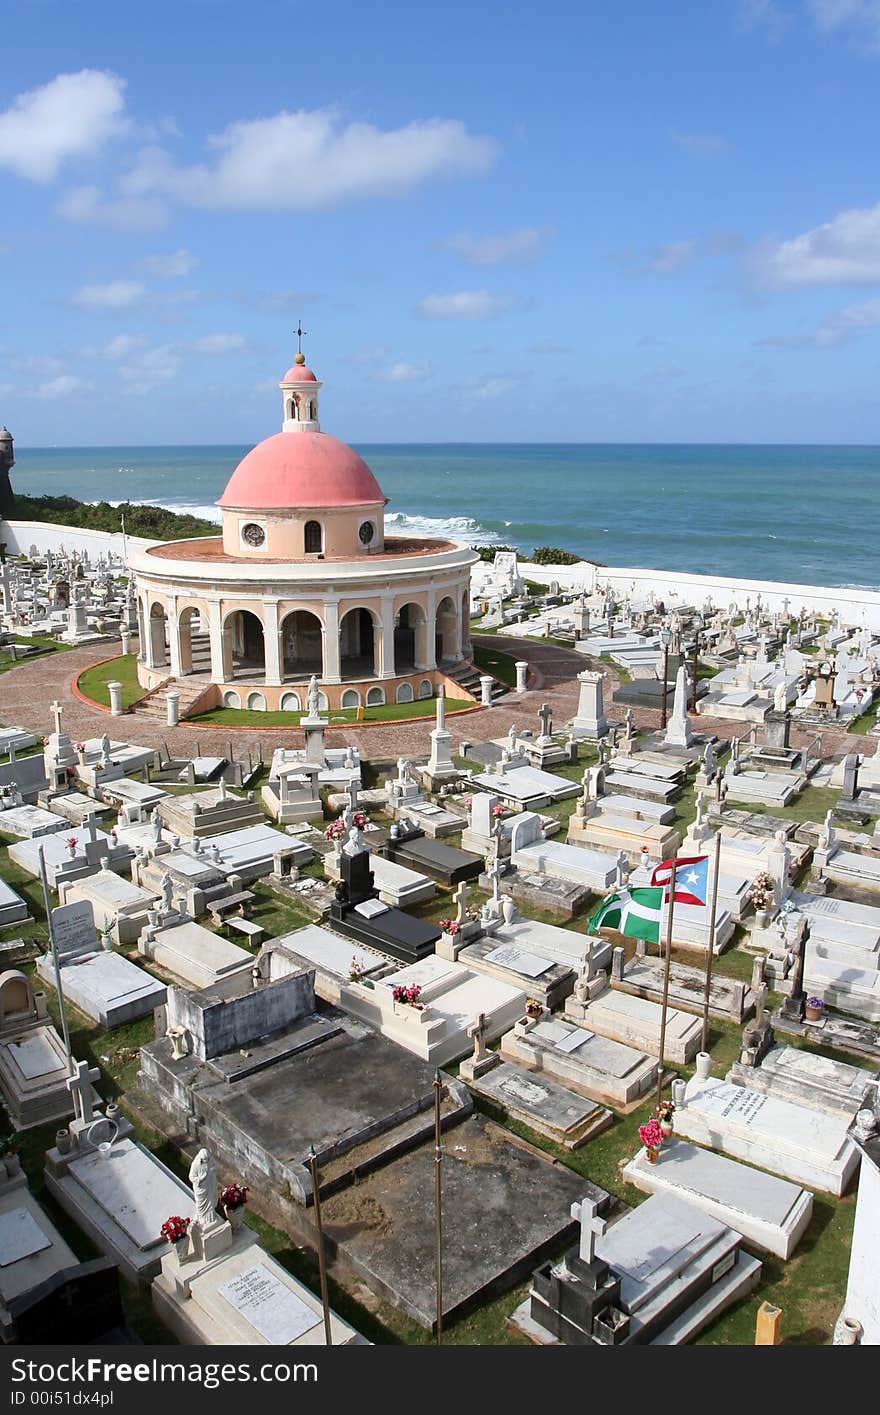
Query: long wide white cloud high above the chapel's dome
{"points": [[306, 161]]}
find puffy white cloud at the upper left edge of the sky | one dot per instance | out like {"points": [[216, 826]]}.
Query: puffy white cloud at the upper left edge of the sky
{"points": [[73, 115]]}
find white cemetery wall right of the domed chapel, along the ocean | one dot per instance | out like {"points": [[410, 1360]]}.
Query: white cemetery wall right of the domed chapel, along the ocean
{"points": [[678, 588]]}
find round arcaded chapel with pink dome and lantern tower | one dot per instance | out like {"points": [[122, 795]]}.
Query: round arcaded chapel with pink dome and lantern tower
{"points": [[303, 581]]}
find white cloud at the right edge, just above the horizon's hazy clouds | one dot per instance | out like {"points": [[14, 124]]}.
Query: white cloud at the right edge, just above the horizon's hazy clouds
{"points": [[844, 251]]}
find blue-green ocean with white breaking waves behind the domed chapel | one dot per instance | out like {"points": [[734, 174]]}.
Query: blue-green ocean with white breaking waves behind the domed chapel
{"points": [[806, 514]]}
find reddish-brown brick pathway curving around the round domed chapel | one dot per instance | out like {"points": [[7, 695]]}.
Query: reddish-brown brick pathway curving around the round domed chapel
{"points": [[28, 691]]}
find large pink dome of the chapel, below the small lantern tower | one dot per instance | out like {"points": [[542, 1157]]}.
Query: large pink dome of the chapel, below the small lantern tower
{"points": [[302, 469]]}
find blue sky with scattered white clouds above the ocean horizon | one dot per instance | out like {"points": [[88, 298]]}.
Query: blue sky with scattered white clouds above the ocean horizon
{"points": [[497, 221]]}
